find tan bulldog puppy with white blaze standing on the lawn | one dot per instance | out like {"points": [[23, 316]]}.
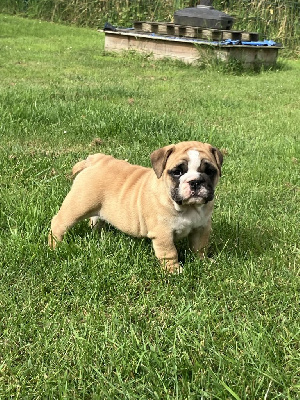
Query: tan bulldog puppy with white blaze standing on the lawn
{"points": [[172, 200]]}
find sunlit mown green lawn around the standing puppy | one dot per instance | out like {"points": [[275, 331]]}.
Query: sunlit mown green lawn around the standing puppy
{"points": [[98, 319]]}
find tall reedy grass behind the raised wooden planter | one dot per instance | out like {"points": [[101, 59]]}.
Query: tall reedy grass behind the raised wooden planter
{"points": [[277, 20]]}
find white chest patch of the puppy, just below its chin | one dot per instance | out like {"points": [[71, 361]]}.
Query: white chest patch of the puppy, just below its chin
{"points": [[192, 218]]}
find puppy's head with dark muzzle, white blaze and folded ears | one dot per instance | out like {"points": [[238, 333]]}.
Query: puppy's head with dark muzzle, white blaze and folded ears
{"points": [[191, 171]]}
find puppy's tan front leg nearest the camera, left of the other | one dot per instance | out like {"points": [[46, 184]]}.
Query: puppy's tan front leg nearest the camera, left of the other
{"points": [[166, 252]]}
